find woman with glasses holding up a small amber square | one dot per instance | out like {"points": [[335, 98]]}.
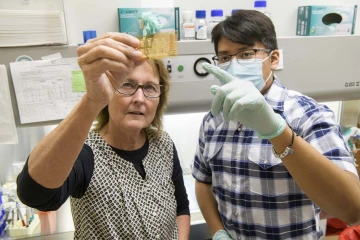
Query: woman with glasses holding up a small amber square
{"points": [[124, 176]]}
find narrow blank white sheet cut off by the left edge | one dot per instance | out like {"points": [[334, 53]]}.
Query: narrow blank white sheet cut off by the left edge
{"points": [[8, 132]]}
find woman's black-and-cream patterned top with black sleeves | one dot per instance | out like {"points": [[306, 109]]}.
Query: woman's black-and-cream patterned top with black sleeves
{"points": [[123, 202]]}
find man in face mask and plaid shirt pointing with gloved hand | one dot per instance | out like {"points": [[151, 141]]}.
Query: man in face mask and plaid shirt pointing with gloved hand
{"points": [[268, 158]]}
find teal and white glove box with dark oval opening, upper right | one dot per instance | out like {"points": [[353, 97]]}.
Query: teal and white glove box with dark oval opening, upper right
{"points": [[324, 20]]}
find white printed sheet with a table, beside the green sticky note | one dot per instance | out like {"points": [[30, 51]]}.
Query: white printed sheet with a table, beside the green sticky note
{"points": [[44, 89]]}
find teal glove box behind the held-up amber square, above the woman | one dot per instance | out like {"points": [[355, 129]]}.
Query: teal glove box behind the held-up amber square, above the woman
{"points": [[142, 22]]}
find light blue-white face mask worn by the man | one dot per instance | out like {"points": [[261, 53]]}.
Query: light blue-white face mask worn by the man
{"points": [[247, 72]]}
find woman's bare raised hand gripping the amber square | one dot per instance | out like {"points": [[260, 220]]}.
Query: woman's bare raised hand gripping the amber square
{"points": [[106, 61]]}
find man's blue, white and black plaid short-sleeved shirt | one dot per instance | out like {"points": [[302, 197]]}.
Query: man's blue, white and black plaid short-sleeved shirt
{"points": [[257, 197]]}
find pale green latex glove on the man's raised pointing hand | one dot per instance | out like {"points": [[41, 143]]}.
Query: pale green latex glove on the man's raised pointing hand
{"points": [[241, 101]]}
